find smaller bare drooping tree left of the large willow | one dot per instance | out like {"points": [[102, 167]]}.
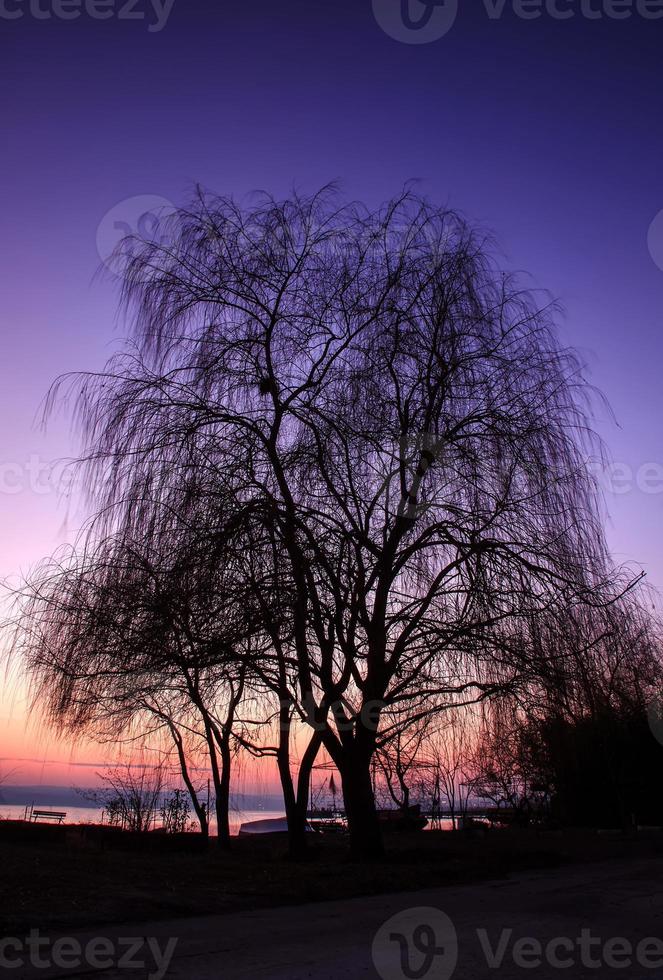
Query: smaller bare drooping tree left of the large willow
{"points": [[130, 641]]}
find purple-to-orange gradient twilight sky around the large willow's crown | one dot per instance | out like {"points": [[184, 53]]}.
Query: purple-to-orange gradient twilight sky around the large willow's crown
{"points": [[548, 132]]}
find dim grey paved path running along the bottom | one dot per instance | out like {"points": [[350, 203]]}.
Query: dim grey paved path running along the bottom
{"points": [[335, 940]]}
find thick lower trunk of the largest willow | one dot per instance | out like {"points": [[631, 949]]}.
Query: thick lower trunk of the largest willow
{"points": [[365, 831]]}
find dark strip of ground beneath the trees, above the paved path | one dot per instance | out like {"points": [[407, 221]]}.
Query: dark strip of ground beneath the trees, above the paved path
{"points": [[72, 878]]}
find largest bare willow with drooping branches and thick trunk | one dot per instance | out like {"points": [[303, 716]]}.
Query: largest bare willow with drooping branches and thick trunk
{"points": [[403, 423]]}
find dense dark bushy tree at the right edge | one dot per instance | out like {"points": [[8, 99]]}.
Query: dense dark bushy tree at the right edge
{"points": [[579, 749]]}
